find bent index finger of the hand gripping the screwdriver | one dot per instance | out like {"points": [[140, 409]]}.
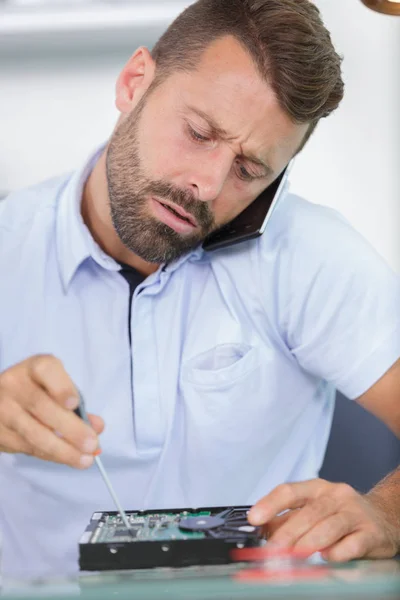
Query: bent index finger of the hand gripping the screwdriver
{"points": [[49, 373]]}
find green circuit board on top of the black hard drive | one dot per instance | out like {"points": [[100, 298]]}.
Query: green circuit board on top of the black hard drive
{"points": [[150, 527]]}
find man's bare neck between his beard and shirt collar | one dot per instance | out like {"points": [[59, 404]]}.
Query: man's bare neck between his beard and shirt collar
{"points": [[96, 215]]}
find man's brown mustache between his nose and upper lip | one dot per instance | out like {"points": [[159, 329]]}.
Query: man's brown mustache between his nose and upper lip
{"points": [[198, 209]]}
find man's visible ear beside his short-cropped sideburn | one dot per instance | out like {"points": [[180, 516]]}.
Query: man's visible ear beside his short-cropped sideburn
{"points": [[134, 79]]}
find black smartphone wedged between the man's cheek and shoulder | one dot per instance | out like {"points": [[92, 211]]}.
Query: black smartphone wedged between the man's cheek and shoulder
{"points": [[252, 222]]}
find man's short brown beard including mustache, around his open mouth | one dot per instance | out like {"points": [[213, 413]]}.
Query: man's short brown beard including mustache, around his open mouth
{"points": [[130, 191]]}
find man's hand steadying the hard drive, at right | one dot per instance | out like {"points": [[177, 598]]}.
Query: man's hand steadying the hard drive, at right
{"points": [[331, 518]]}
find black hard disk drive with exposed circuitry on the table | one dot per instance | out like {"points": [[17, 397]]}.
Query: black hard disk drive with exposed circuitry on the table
{"points": [[167, 538]]}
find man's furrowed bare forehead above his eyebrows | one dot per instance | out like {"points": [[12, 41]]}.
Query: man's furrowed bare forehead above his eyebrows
{"points": [[227, 85]]}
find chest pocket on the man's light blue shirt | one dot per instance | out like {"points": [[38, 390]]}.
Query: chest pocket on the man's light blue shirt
{"points": [[224, 393]]}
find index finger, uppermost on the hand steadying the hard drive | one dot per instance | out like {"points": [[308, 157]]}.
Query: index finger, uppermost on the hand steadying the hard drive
{"points": [[286, 496]]}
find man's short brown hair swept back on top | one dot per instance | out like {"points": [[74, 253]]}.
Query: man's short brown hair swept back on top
{"points": [[287, 40]]}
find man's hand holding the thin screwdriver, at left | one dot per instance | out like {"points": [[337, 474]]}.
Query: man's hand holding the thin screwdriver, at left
{"points": [[37, 399]]}
